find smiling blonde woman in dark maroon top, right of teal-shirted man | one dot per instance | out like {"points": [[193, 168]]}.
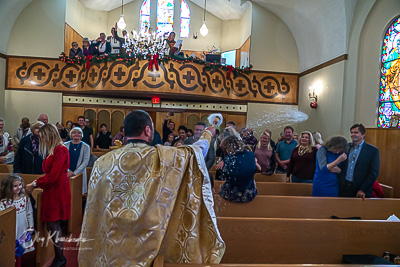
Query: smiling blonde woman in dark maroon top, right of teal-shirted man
{"points": [[302, 161]]}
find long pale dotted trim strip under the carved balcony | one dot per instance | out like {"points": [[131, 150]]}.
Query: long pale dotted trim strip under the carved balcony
{"points": [[168, 105]]}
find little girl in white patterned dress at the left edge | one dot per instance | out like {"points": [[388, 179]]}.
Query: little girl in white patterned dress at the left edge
{"points": [[12, 194]]}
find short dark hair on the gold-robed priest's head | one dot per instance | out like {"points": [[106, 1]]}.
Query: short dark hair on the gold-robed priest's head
{"points": [[135, 122]]}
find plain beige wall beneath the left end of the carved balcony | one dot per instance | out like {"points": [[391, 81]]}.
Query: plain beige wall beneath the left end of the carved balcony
{"points": [[24, 103]]}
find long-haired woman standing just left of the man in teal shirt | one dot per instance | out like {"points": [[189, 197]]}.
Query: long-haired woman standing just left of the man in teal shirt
{"points": [[265, 154]]}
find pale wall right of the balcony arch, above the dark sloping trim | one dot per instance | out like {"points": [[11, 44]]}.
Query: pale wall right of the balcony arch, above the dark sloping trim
{"points": [[321, 28]]}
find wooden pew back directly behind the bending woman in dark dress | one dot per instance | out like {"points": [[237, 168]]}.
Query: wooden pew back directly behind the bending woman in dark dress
{"points": [[276, 188]]}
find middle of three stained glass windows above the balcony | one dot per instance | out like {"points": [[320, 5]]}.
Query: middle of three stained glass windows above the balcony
{"points": [[165, 16]]}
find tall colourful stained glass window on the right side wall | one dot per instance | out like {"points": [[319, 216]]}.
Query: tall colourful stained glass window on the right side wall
{"points": [[389, 98]]}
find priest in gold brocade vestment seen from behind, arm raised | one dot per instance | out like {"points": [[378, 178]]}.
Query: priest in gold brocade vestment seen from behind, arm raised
{"points": [[145, 201]]}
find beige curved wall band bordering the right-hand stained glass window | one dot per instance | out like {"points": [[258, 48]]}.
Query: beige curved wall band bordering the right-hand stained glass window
{"points": [[369, 52]]}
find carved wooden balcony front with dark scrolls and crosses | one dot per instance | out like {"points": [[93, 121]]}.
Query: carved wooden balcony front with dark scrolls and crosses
{"points": [[183, 79]]}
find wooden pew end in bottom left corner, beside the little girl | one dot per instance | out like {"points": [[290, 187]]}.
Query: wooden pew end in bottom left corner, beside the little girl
{"points": [[7, 237]]}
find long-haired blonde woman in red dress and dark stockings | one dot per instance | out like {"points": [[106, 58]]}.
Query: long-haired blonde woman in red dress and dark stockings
{"points": [[56, 205]]}
